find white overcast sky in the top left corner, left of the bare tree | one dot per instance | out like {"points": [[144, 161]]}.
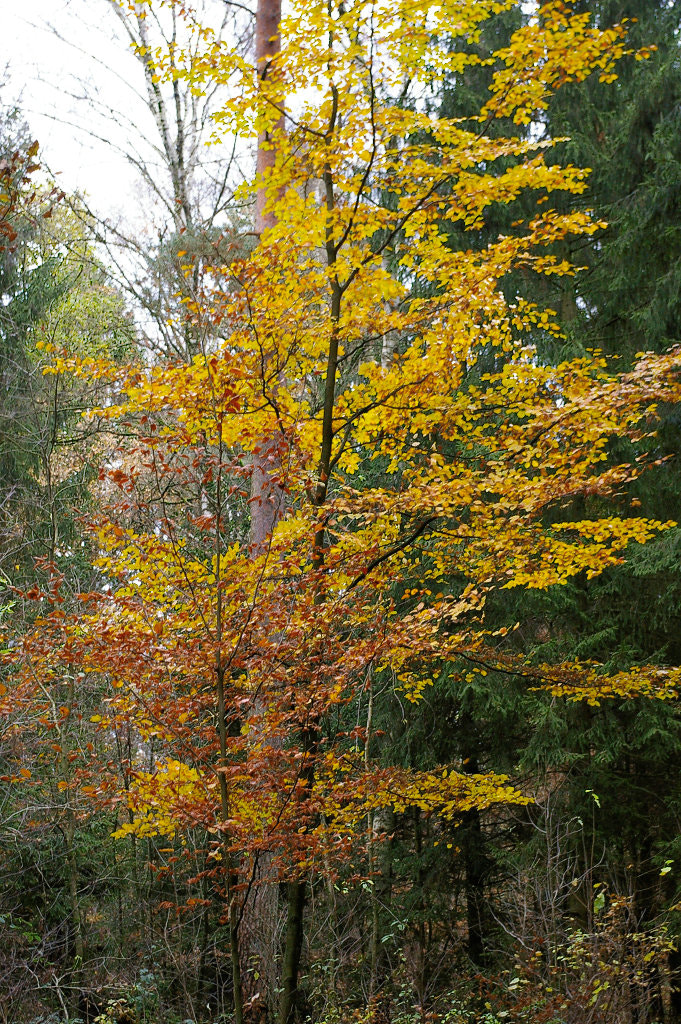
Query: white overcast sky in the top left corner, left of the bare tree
{"points": [[62, 54]]}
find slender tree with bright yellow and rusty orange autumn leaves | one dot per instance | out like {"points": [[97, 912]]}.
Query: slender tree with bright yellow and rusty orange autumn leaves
{"points": [[481, 448]]}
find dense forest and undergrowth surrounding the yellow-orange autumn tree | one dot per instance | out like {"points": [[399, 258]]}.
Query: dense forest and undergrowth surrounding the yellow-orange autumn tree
{"points": [[563, 910]]}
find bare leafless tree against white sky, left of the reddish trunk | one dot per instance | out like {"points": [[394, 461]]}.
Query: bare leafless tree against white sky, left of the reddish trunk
{"points": [[193, 195]]}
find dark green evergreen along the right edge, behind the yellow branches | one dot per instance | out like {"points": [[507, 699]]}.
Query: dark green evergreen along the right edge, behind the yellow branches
{"points": [[627, 300]]}
